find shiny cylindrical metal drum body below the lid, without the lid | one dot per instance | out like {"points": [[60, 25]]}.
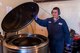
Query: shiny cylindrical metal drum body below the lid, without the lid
{"points": [[24, 43]]}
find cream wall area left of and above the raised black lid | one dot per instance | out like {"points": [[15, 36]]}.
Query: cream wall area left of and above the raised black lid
{"points": [[6, 6]]}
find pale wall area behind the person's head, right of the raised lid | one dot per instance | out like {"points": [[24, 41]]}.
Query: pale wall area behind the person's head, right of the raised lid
{"points": [[70, 11]]}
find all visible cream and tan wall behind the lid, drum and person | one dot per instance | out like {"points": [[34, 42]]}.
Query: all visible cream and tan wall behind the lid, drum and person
{"points": [[70, 11]]}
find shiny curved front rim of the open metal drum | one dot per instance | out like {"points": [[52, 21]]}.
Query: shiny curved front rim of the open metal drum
{"points": [[25, 47]]}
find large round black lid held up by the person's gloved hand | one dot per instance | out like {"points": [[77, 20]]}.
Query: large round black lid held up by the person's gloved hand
{"points": [[19, 17]]}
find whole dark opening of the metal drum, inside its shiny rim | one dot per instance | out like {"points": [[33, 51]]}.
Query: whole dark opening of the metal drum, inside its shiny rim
{"points": [[25, 40]]}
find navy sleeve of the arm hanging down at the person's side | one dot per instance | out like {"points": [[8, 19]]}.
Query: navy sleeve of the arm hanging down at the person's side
{"points": [[66, 33]]}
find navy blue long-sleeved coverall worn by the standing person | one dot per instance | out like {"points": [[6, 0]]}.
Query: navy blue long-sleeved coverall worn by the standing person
{"points": [[58, 33]]}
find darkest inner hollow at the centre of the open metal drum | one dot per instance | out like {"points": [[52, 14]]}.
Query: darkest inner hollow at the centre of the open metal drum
{"points": [[26, 41]]}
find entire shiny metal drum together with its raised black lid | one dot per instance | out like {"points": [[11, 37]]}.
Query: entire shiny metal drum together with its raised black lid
{"points": [[16, 19]]}
